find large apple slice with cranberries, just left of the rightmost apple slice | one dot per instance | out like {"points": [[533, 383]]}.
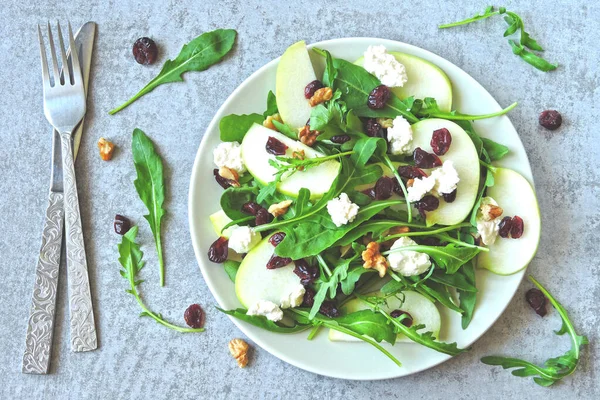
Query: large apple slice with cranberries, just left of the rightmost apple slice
{"points": [[463, 154]]}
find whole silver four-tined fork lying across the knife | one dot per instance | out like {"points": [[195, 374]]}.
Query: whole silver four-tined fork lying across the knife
{"points": [[64, 107]]}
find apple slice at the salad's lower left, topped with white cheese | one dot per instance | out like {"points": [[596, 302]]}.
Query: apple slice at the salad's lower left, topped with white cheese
{"points": [[255, 282]]}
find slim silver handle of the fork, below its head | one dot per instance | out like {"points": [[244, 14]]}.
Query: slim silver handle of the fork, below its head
{"points": [[83, 329]]}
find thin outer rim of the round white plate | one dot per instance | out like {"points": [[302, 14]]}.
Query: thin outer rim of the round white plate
{"points": [[200, 253]]}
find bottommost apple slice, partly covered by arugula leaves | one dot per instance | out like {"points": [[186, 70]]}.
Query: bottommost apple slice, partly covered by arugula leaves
{"points": [[419, 307]]}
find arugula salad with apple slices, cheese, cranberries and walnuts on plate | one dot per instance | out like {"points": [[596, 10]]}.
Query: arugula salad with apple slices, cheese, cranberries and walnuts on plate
{"points": [[361, 203]]}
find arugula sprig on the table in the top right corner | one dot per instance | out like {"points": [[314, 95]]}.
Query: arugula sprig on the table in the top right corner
{"points": [[515, 23]]}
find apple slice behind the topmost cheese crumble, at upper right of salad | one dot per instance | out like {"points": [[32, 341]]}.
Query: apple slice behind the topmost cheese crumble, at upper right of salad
{"points": [[425, 79]]}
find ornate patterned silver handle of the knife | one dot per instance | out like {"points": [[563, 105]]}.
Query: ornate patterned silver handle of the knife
{"points": [[38, 341]]}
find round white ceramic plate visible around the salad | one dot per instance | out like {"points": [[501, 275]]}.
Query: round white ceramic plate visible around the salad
{"points": [[352, 360]]}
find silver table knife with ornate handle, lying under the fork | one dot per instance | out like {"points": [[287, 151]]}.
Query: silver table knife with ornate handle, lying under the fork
{"points": [[38, 343]]}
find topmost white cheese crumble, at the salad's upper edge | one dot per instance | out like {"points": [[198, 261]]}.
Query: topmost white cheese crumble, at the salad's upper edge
{"points": [[385, 66]]}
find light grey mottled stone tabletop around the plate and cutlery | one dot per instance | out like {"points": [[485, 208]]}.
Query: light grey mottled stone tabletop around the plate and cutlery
{"points": [[139, 359]]}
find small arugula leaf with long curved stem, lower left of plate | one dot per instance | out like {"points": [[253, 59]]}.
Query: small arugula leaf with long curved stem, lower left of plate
{"points": [[130, 258]]}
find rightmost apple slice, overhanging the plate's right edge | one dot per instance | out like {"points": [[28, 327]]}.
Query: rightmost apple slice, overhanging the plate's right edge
{"points": [[516, 197]]}
